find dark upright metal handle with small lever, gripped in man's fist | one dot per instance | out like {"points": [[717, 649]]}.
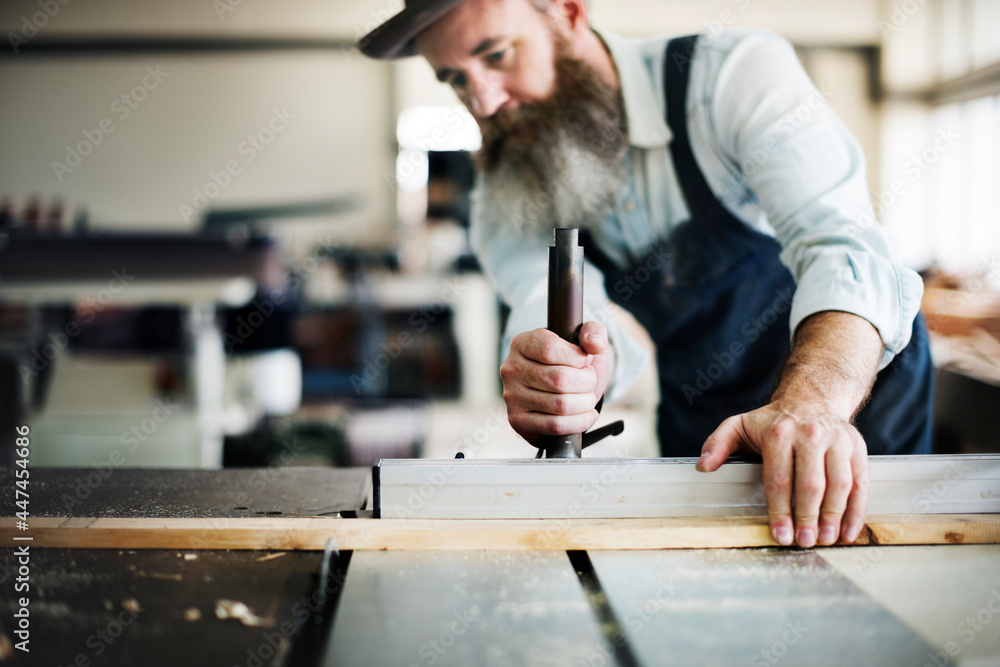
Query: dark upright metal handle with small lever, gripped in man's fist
{"points": [[565, 317]]}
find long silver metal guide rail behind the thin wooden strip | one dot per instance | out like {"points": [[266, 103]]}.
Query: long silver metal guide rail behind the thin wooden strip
{"points": [[667, 487]]}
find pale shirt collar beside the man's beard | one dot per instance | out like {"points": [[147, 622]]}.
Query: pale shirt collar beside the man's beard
{"points": [[643, 107]]}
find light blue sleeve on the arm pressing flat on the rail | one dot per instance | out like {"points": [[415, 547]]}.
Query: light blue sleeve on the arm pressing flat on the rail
{"points": [[808, 174]]}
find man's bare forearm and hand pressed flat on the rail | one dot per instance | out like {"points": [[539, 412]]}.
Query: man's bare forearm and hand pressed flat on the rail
{"points": [[815, 461]]}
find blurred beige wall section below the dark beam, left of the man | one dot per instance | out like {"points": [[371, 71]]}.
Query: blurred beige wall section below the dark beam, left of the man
{"points": [[194, 122]]}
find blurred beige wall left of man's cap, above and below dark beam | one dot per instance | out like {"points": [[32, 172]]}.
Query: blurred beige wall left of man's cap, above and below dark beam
{"points": [[197, 119]]}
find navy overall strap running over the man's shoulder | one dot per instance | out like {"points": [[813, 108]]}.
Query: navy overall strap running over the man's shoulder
{"points": [[676, 74]]}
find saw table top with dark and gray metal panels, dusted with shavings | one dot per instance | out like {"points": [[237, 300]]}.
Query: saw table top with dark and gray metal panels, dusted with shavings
{"points": [[858, 605]]}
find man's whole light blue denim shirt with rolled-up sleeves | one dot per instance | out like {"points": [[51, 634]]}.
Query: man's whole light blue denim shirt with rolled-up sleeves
{"points": [[775, 156]]}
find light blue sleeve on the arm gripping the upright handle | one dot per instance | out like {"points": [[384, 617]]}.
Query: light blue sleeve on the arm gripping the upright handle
{"points": [[518, 267]]}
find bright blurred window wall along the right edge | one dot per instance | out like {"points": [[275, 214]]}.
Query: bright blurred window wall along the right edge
{"points": [[941, 158]]}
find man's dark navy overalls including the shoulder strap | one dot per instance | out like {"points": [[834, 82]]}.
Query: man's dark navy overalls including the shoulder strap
{"points": [[718, 311]]}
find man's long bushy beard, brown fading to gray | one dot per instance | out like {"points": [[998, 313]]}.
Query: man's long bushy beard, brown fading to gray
{"points": [[558, 162]]}
